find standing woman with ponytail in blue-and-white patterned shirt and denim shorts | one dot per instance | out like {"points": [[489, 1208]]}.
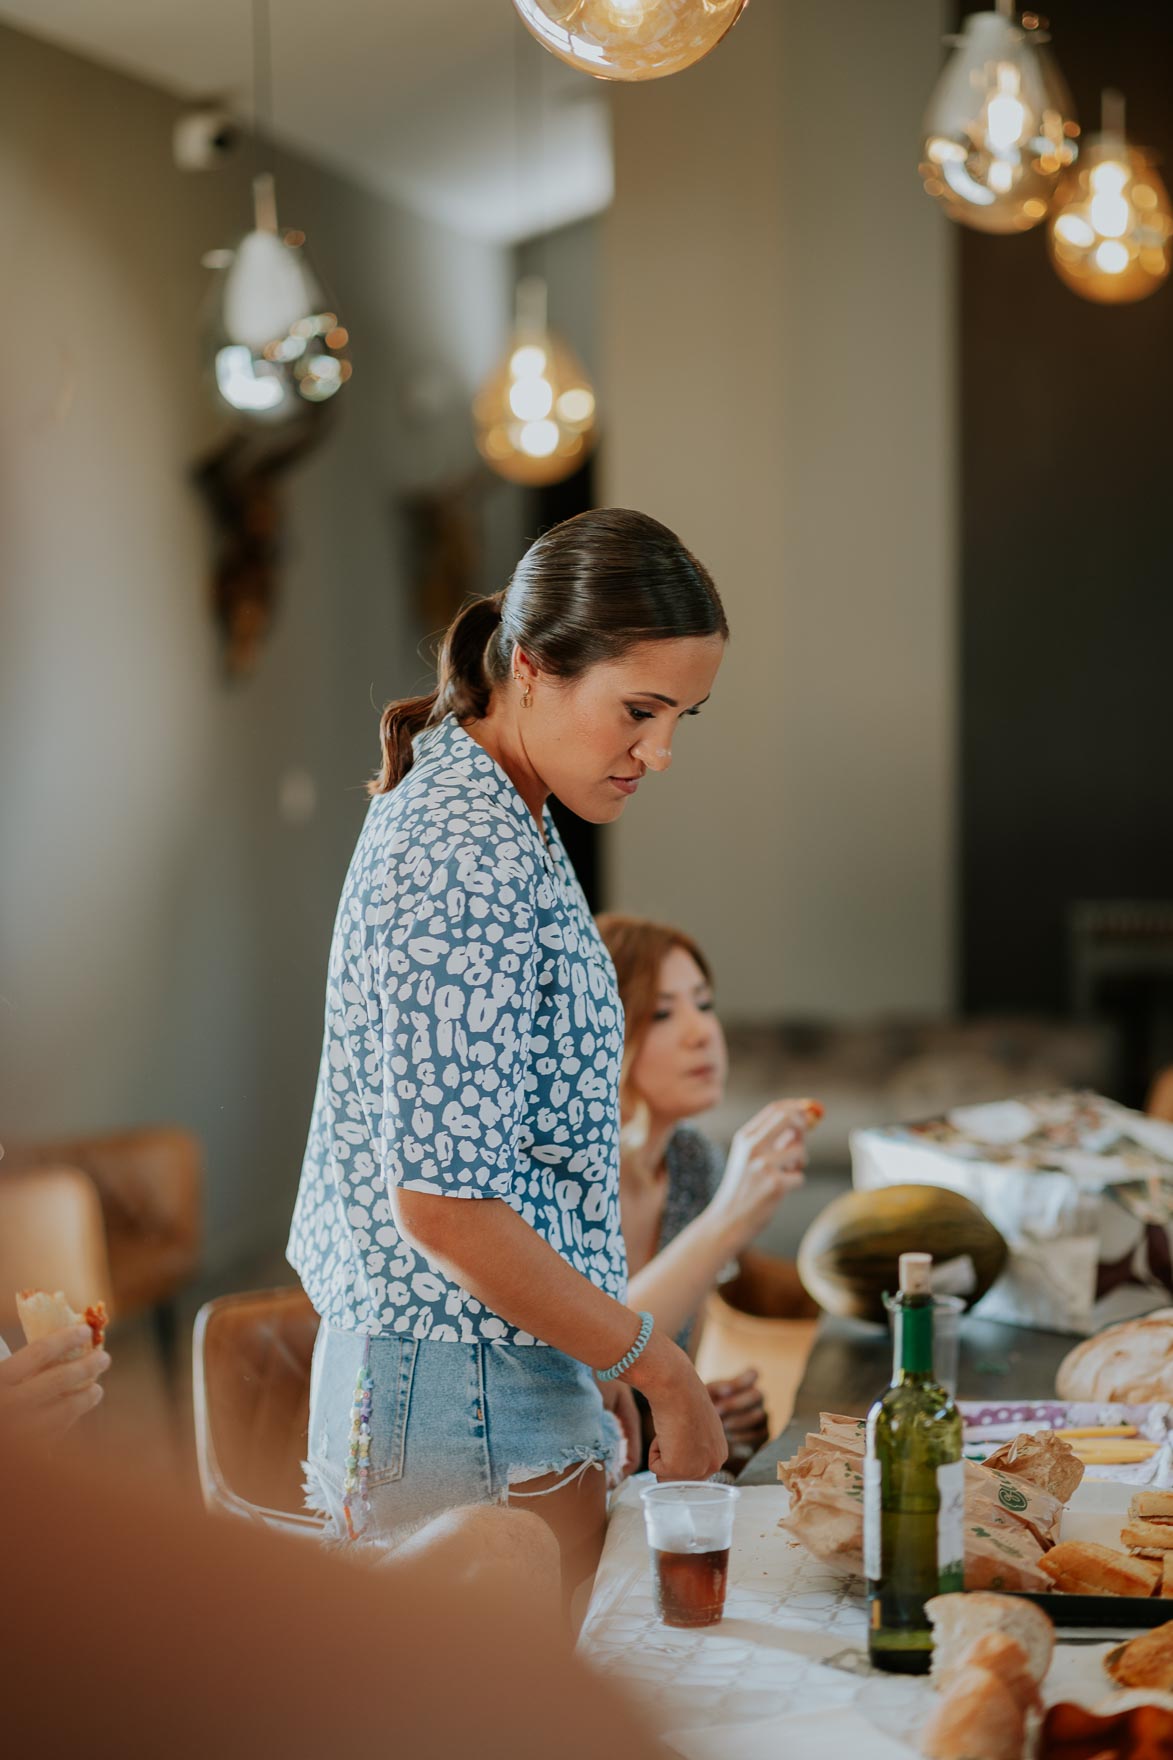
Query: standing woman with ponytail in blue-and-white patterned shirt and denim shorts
{"points": [[476, 1353]]}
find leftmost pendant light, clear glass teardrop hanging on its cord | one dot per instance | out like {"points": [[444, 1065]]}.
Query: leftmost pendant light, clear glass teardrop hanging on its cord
{"points": [[272, 341]]}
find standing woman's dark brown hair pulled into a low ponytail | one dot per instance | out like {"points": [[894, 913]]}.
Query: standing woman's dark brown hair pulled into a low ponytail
{"points": [[586, 592]]}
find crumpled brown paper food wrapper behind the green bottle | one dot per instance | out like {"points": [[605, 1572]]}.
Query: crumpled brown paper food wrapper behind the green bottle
{"points": [[1010, 1518]]}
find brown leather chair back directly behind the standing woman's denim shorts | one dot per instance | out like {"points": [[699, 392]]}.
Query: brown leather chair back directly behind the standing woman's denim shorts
{"points": [[251, 1388]]}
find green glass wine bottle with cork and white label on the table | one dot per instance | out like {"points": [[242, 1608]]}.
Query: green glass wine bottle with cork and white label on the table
{"points": [[913, 1488]]}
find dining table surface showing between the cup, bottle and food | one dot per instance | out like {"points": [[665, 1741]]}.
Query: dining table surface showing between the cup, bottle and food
{"points": [[786, 1671]]}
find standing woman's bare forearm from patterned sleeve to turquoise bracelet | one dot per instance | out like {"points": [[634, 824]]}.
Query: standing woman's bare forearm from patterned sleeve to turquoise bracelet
{"points": [[494, 1254]]}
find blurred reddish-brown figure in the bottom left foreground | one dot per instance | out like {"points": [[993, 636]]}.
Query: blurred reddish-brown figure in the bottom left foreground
{"points": [[133, 1627]]}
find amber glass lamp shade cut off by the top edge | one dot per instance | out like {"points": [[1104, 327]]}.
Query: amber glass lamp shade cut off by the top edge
{"points": [[630, 40]]}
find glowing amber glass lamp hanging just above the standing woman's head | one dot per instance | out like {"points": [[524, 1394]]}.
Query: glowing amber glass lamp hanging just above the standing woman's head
{"points": [[536, 413]]}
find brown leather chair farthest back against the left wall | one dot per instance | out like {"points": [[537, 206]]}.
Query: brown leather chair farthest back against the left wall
{"points": [[151, 1187]]}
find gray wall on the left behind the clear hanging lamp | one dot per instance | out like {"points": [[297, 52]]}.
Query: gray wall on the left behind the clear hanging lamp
{"points": [[165, 928]]}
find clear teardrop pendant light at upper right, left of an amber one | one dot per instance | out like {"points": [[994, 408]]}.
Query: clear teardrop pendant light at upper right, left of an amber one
{"points": [[1000, 129]]}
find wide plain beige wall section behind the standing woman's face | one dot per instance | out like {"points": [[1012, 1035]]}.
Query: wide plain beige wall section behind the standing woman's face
{"points": [[779, 363]]}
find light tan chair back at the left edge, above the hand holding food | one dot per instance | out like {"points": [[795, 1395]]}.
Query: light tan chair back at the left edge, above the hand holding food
{"points": [[52, 1238]]}
